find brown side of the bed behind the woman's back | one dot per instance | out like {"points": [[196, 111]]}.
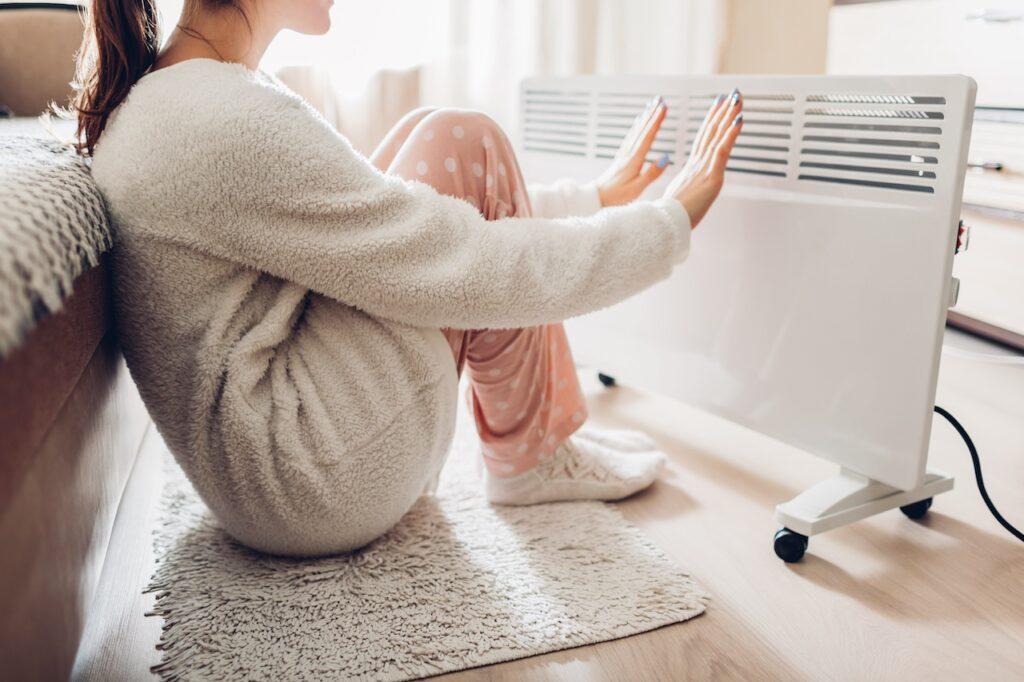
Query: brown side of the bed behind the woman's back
{"points": [[71, 430]]}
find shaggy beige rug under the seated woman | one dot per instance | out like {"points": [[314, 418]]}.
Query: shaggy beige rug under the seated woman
{"points": [[457, 584]]}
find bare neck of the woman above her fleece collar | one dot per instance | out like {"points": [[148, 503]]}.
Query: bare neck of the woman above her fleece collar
{"points": [[225, 35]]}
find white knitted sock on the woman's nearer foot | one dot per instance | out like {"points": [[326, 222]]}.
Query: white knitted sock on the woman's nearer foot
{"points": [[579, 470]]}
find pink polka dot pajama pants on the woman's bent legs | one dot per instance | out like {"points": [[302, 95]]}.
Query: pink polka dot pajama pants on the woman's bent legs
{"points": [[524, 391]]}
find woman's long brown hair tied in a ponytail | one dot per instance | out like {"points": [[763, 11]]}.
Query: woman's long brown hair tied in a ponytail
{"points": [[122, 40]]}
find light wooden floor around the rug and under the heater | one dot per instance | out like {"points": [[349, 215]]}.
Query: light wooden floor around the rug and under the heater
{"points": [[884, 600]]}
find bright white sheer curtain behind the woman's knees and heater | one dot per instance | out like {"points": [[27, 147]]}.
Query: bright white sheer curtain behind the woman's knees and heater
{"points": [[383, 58]]}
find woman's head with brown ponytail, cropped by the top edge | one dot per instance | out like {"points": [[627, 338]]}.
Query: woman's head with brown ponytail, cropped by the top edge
{"points": [[122, 41]]}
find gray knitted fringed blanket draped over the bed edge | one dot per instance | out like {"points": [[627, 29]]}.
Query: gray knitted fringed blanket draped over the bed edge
{"points": [[54, 227]]}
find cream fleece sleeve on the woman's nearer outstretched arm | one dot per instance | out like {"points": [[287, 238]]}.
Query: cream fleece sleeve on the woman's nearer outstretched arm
{"points": [[294, 200]]}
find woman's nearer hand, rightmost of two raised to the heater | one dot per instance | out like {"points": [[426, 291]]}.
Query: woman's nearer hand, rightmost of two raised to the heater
{"points": [[699, 184]]}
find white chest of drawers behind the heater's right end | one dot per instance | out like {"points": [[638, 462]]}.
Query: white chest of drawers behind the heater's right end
{"points": [[983, 39]]}
